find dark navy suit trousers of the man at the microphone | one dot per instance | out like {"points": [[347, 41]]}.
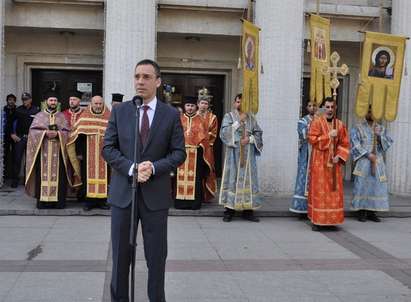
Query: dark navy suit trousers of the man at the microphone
{"points": [[154, 230]]}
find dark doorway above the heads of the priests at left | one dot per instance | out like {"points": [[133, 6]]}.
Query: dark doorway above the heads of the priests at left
{"points": [[63, 81]]}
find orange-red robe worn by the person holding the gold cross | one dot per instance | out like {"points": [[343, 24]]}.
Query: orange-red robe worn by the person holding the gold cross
{"points": [[325, 206]]}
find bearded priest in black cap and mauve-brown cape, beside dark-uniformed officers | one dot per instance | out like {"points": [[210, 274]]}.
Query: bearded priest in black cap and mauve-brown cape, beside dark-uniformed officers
{"points": [[48, 170]]}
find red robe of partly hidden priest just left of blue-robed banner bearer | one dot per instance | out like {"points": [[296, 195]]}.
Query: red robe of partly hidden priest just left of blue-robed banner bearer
{"points": [[211, 124]]}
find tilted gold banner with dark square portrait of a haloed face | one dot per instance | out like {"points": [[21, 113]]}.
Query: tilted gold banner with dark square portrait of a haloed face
{"points": [[381, 73]]}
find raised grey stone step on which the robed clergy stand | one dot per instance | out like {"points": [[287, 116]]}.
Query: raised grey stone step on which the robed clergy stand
{"points": [[15, 202]]}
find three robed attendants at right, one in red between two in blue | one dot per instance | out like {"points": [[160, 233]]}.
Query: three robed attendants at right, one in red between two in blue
{"points": [[324, 147]]}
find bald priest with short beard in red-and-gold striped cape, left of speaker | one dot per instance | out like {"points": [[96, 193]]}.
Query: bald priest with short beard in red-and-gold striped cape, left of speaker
{"points": [[86, 143]]}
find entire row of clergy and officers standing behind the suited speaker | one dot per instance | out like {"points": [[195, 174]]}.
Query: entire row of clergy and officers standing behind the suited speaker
{"points": [[63, 158]]}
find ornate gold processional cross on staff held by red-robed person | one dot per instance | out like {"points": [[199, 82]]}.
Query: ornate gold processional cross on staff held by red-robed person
{"points": [[333, 71]]}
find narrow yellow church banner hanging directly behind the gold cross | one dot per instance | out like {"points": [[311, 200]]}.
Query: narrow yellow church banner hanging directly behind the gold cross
{"points": [[320, 58]]}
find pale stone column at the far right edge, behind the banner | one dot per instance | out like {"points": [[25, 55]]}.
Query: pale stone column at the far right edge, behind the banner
{"points": [[398, 158]]}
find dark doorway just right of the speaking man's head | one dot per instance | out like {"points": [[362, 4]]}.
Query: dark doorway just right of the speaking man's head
{"points": [[189, 85]]}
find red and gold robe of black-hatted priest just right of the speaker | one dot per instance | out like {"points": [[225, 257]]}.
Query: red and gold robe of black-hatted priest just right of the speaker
{"points": [[196, 136]]}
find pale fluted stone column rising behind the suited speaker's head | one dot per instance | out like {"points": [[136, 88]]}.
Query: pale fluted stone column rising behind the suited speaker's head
{"points": [[130, 36]]}
